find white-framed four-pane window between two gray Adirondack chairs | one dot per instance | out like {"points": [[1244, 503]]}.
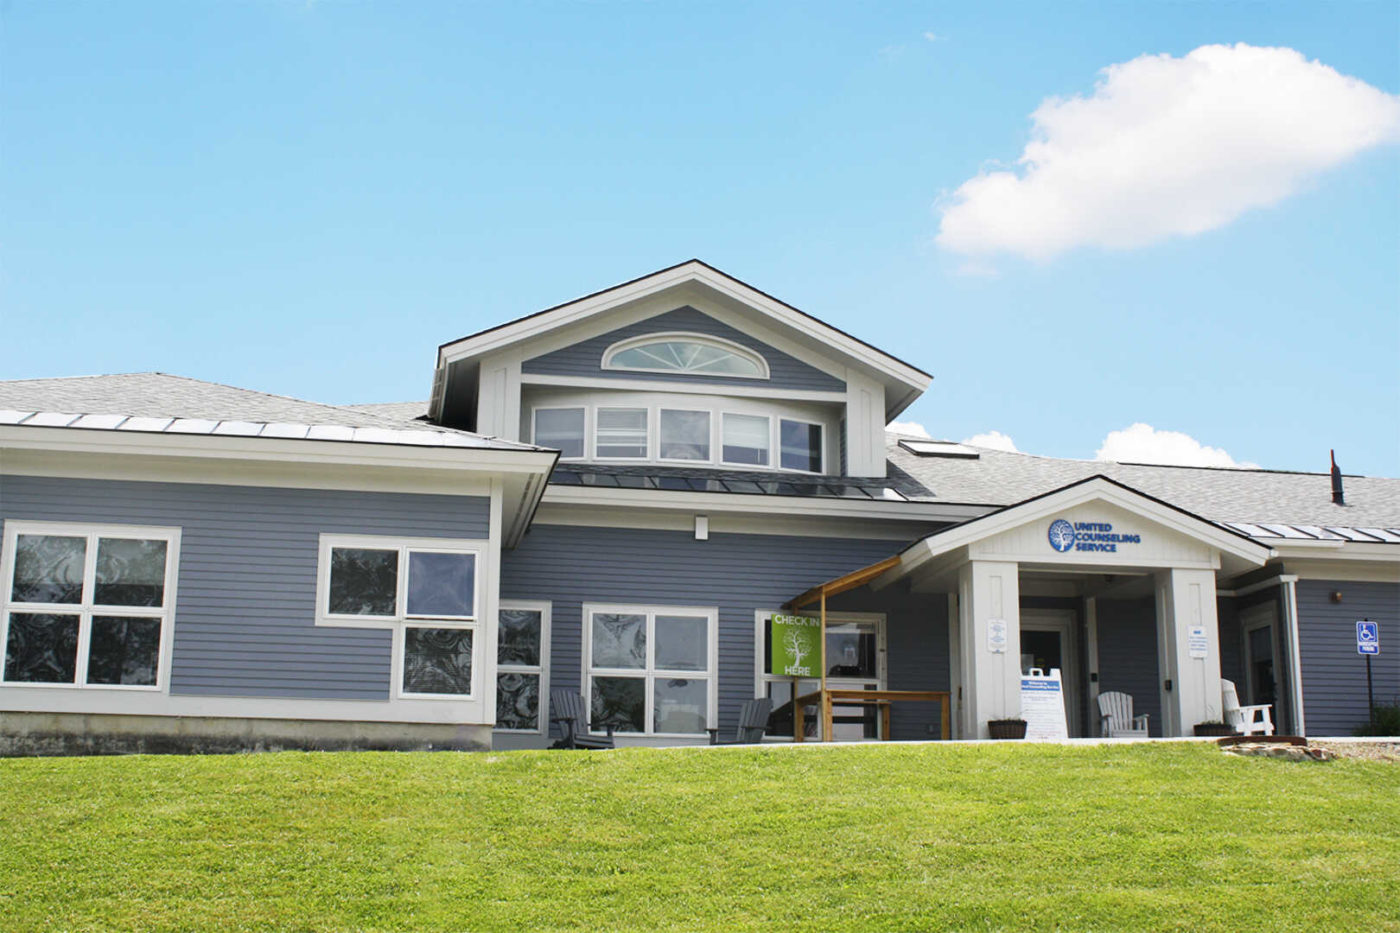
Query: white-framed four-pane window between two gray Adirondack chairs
{"points": [[652, 669]]}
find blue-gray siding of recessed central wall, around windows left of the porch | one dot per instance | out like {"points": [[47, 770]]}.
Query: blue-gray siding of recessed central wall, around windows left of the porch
{"points": [[737, 574]]}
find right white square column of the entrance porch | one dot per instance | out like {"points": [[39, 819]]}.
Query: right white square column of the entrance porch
{"points": [[1186, 600]]}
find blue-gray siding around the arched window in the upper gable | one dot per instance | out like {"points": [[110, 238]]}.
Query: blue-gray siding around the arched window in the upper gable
{"points": [[587, 357]]}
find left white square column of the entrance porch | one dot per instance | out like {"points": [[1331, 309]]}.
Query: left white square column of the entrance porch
{"points": [[989, 592]]}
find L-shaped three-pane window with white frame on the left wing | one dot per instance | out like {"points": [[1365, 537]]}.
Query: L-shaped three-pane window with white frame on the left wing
{"points": [[426, 590]]}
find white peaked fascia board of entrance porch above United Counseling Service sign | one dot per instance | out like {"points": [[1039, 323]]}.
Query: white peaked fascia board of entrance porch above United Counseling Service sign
{"points": [[1079, 495]]}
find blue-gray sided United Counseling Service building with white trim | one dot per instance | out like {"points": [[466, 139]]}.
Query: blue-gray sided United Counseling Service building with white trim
{"points": [[639, 498]]}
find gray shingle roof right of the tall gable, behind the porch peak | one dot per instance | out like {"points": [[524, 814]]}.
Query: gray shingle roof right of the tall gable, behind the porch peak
{"points": [[1000, 478]]}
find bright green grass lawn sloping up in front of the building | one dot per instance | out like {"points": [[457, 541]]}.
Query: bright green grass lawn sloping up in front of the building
{"points": [[1168, 837]]}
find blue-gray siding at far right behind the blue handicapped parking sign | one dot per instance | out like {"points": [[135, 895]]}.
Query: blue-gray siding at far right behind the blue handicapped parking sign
{"points": [[1335, 675]]}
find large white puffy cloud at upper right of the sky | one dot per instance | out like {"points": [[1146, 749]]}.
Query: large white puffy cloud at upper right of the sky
{"points": [[1170, 146]]}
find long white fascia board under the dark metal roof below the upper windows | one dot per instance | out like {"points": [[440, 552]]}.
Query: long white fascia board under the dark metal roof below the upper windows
{"points": [[710, 502]]}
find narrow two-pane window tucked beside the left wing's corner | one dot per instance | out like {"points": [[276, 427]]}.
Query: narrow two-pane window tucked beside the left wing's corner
{"points": [[523, 668]]}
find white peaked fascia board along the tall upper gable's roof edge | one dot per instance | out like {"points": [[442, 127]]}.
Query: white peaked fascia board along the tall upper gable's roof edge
{"points": [[733, 289]]}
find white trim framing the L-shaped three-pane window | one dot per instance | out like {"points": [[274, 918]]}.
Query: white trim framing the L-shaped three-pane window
{"points": [[401, 620]]}
